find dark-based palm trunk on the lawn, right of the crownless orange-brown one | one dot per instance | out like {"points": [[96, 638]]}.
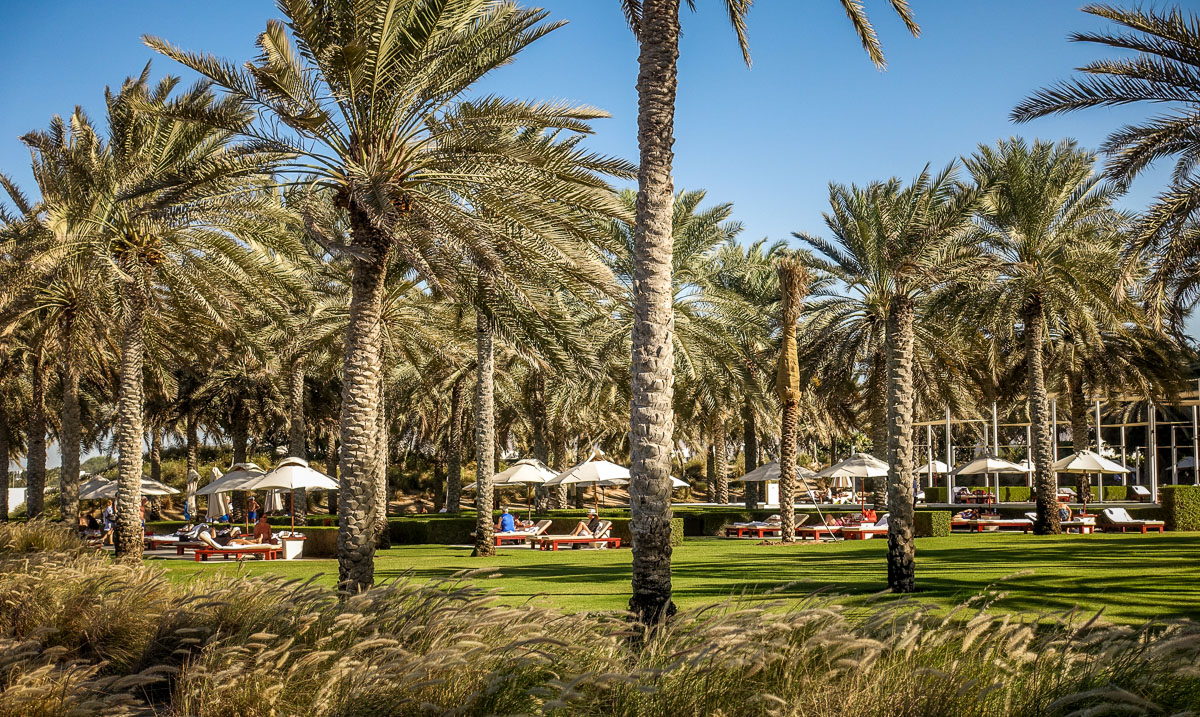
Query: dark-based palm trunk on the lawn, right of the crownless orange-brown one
{"points": [[902, 396]]}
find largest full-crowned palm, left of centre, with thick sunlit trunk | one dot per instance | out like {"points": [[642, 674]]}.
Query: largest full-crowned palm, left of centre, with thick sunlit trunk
{"points": [[369, 93]]}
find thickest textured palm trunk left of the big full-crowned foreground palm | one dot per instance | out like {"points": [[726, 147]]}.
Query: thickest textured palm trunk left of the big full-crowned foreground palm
{"points": [[129, 537]]}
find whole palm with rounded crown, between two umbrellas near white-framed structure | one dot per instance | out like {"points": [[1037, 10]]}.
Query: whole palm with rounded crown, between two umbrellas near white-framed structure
{"points": [[1042, 221]]}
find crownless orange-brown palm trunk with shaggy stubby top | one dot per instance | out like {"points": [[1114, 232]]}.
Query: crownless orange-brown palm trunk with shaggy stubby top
{"points": [[793, 285]]}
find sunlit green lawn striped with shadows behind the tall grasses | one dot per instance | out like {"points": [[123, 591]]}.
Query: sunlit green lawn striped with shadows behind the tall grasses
{"points": [[1133, 577]]}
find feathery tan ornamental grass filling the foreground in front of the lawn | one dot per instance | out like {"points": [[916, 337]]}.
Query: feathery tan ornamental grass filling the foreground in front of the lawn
{"points": [[260, 646]]}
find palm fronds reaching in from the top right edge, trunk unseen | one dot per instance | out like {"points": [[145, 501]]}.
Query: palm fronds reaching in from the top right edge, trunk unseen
{"points": [[1162, 70]]}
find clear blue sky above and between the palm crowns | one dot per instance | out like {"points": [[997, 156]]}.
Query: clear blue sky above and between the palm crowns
{"points": [[769, 140]]}
